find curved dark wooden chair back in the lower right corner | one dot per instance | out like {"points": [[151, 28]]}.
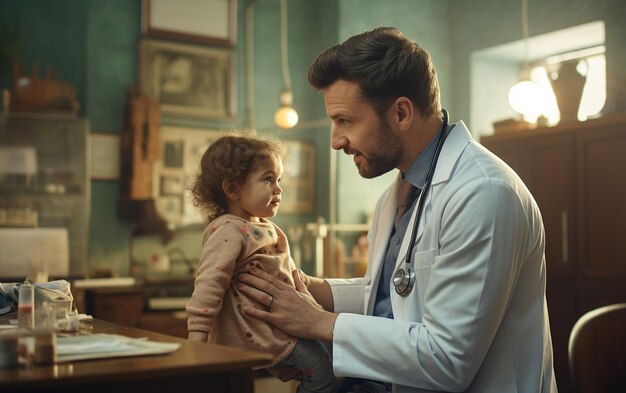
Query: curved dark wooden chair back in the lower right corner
{"points": [[597, 350]]}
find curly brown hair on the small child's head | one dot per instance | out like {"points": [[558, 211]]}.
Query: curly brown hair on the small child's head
{"points": [[230, 158]]}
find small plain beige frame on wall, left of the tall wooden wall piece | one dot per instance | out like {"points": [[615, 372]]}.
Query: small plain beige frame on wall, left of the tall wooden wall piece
{"points": [[105, 156]]}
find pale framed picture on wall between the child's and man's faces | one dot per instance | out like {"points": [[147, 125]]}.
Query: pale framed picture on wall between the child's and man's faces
{"points": [[299, 181]]}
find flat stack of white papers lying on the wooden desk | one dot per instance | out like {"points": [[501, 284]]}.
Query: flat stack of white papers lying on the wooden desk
{"points": [[97, 346]]}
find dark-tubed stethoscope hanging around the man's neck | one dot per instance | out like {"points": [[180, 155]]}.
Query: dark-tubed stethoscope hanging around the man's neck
{"points": [[404, 278]]}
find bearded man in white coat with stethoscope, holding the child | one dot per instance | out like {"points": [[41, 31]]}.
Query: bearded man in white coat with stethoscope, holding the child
{"points": [[454, 295]]}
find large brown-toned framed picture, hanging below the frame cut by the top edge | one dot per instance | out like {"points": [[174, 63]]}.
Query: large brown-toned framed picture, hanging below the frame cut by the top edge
{"points": [[188, 80]]}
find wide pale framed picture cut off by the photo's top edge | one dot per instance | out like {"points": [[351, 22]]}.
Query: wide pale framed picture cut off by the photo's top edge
{"points": [[206, 21]]}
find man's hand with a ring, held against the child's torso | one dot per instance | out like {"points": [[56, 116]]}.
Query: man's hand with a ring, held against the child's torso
{"points": [[287, 308]]}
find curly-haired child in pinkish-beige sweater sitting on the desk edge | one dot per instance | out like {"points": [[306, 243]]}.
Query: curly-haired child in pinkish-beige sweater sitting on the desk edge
{"points": [[238, 187]]}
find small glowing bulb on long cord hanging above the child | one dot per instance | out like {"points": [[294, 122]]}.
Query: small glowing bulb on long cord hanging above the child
{"points": [[285, 117]]}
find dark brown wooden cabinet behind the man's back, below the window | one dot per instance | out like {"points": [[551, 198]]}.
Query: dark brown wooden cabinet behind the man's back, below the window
{"points": [[577, 174]]}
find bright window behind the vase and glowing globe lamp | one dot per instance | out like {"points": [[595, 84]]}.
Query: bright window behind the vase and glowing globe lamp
{"points": [[494, 70]]}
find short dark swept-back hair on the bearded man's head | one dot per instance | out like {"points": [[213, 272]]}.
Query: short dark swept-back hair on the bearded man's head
{"points": [[386, 65]]}
